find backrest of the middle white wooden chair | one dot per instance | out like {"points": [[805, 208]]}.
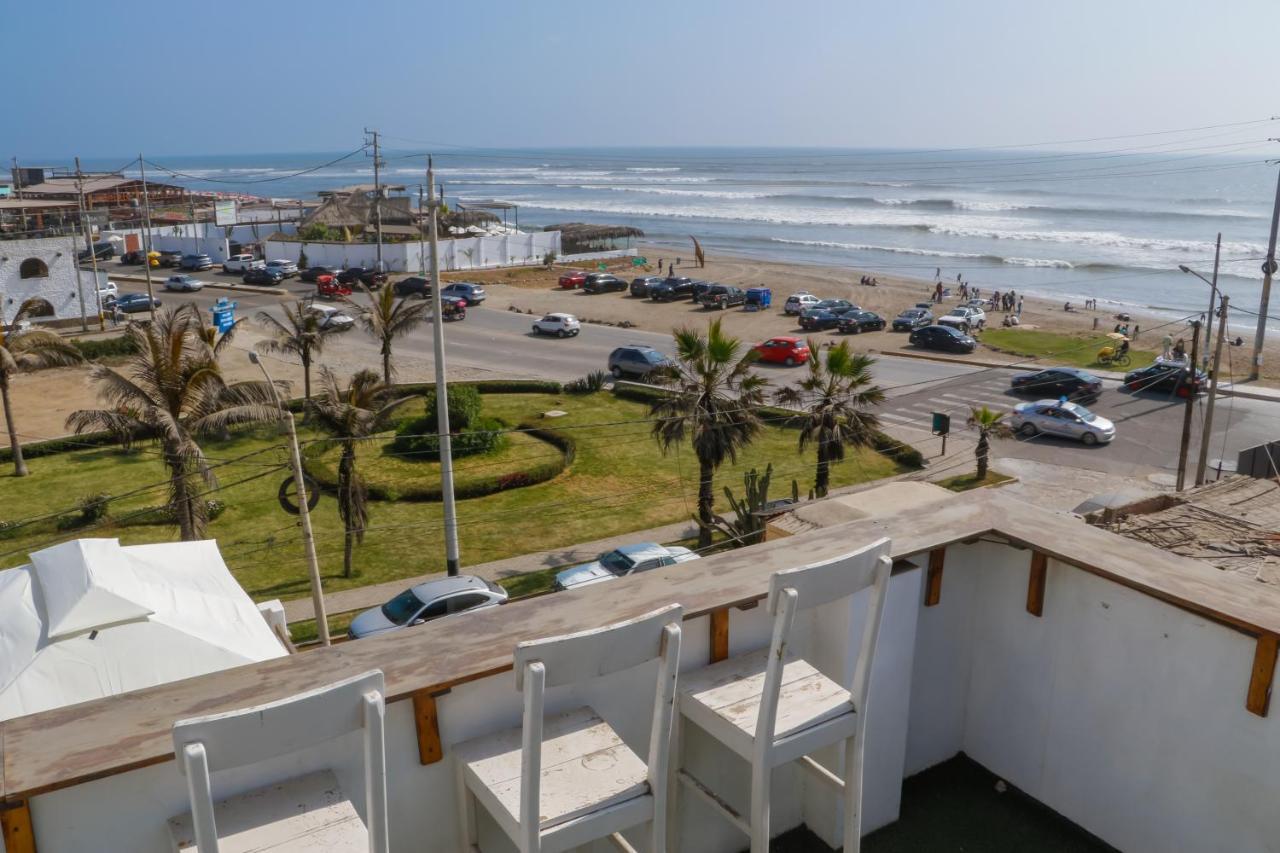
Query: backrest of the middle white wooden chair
{"points": [[557, 662]]}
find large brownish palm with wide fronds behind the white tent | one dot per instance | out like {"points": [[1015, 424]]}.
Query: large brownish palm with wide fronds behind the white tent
{"points": [[173, 393]]}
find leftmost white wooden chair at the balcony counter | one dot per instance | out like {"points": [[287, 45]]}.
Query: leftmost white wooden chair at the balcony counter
{"points": [[304, 814]]}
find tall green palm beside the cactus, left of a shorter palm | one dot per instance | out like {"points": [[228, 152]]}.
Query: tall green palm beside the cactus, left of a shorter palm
{"points": [[712, 400]]}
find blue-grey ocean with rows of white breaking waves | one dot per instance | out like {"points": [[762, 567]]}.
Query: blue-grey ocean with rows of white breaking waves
{"points": [[1112, 225]]}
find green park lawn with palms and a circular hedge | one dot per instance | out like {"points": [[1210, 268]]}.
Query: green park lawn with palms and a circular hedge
{"points": [[619, 482]]}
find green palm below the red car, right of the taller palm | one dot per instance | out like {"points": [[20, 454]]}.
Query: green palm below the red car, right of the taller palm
{"points": [[836, 399]]}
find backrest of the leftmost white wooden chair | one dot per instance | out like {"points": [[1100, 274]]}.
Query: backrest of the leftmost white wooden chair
{"points": [[264, 732]]}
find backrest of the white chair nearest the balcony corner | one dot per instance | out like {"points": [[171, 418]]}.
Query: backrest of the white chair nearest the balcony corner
{"points": [[796, 590]]}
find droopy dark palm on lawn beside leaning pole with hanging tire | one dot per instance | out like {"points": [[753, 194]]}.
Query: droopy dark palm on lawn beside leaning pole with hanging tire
{"points": [[364, 409]]}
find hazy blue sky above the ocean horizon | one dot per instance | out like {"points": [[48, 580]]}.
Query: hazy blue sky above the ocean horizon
{"points": [[175, 77]]}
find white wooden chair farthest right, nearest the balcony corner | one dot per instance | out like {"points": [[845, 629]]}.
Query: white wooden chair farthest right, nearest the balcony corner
{"points": [[772, 708]]}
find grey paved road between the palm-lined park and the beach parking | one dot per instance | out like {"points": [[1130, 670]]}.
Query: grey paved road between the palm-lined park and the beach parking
{"points": [[1149, 425]]}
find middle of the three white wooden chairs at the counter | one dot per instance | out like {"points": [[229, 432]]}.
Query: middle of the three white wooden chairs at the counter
{"points": [[559, 783]]}
